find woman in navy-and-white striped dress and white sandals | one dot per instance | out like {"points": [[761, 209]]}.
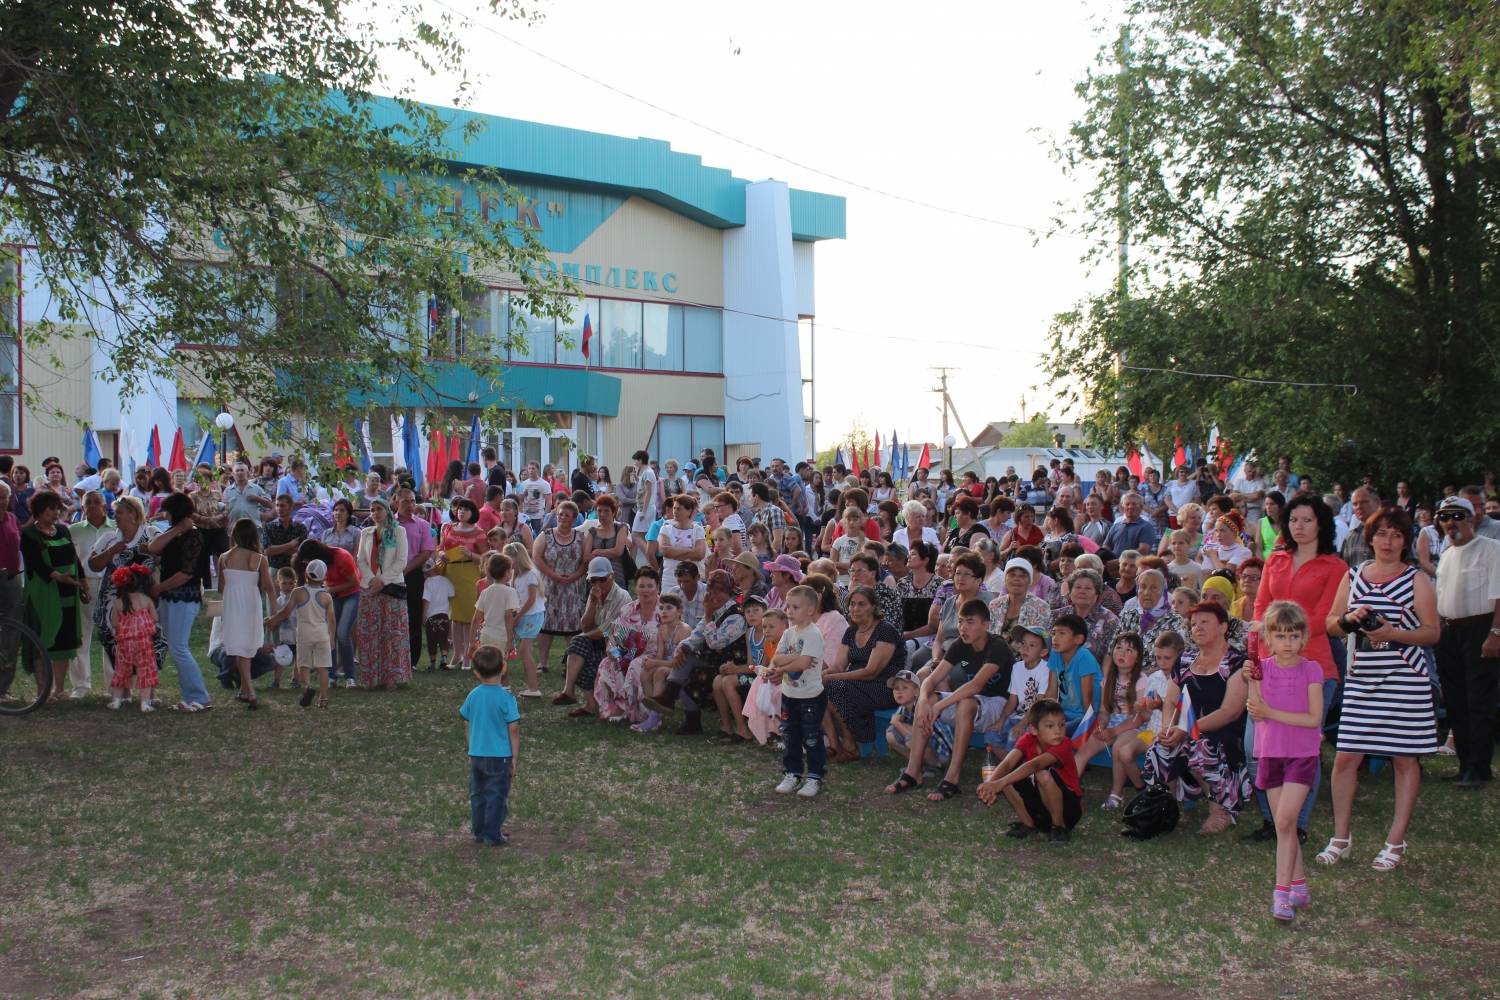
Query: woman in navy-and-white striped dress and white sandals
{"points": [[1388, 695]]}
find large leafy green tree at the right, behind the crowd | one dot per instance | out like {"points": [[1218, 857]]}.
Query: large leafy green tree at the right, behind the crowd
{"points": [[1315, 211]]}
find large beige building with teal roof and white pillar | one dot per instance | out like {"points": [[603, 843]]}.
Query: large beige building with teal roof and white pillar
{"points": [[698, 284]]}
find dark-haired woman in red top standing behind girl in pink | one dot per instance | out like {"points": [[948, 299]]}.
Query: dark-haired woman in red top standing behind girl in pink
{"points": [[1304, 569]]}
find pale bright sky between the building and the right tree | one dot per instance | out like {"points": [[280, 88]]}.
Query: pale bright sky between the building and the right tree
{"points": [[959, 112]]}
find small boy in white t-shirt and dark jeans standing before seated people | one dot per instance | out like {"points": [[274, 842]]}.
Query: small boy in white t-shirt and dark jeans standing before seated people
{"points": [[799, 668]]}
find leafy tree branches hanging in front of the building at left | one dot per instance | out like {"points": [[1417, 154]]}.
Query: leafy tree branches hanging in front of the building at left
{"points": [[245, 137]]}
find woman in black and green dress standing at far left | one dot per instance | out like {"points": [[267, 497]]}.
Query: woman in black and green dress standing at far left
{"points": [[55, 591]]}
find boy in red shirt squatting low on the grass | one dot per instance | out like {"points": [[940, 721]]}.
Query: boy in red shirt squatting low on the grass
{"points": [[1040, 779]]}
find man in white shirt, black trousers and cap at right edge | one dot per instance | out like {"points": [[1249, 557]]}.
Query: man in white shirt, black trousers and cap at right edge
{"points": [[1469, 648]]}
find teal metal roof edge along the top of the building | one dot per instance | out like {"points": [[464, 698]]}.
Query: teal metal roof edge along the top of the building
{"points": [[650, 169]]}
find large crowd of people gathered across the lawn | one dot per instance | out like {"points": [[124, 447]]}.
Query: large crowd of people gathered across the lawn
{"points": [[1159, 629]]}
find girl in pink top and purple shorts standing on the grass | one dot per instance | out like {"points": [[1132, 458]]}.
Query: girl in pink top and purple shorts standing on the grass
{"points": [[1286, 701]]}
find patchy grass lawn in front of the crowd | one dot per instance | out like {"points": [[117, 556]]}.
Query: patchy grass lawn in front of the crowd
{"points": [[326, 854]]}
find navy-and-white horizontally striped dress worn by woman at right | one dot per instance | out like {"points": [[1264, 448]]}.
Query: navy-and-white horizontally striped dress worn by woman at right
{"points": [[1388, 695]]}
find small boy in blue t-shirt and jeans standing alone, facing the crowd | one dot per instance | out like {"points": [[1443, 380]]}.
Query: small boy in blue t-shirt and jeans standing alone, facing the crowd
{"points": [[491, 722]]}
